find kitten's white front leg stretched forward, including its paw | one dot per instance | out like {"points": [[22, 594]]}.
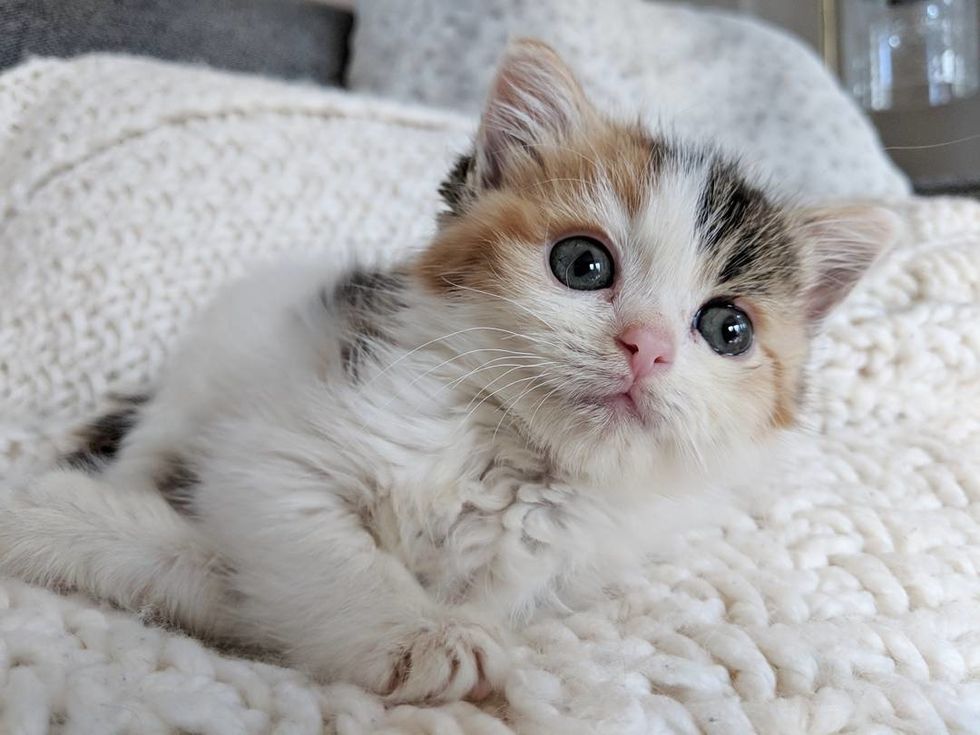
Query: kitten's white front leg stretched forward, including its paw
{"points": [[310, 573]]}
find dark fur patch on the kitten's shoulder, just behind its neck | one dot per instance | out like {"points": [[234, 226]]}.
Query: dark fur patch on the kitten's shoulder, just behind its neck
{"points": [[366, 302]]}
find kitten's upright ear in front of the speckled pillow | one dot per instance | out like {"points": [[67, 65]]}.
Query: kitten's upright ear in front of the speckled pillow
{"points": [[534, 99]]}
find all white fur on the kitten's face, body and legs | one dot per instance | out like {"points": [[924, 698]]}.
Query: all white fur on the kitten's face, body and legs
{"points": [[388, 529]]}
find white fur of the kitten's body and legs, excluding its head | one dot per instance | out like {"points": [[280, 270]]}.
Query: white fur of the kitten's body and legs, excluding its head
{"points": [[291, 462]]}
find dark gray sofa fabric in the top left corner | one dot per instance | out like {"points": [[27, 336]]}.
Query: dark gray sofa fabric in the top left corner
{"points": [[291, 39]]}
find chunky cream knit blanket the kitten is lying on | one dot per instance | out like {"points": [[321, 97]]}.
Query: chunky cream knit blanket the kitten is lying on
{"points": [[848, 602]]}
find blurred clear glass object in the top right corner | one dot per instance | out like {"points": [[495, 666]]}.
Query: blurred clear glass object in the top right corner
{"points": [[902, 54]]}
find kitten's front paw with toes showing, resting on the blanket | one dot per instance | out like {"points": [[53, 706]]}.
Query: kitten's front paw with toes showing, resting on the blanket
{"points": [[445, 663]]}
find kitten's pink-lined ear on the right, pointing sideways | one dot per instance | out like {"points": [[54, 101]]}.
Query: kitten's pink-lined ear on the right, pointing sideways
{"points": [[844, 242]]}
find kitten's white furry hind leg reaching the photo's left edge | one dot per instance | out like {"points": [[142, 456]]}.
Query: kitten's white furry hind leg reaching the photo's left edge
{"points": [[68, 529]]}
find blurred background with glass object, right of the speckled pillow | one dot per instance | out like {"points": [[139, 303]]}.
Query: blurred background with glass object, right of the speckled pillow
{"points": [[912, 64]]}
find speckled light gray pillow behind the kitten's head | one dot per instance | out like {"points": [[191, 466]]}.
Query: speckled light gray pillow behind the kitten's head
{"points": [[754, 89]]}
